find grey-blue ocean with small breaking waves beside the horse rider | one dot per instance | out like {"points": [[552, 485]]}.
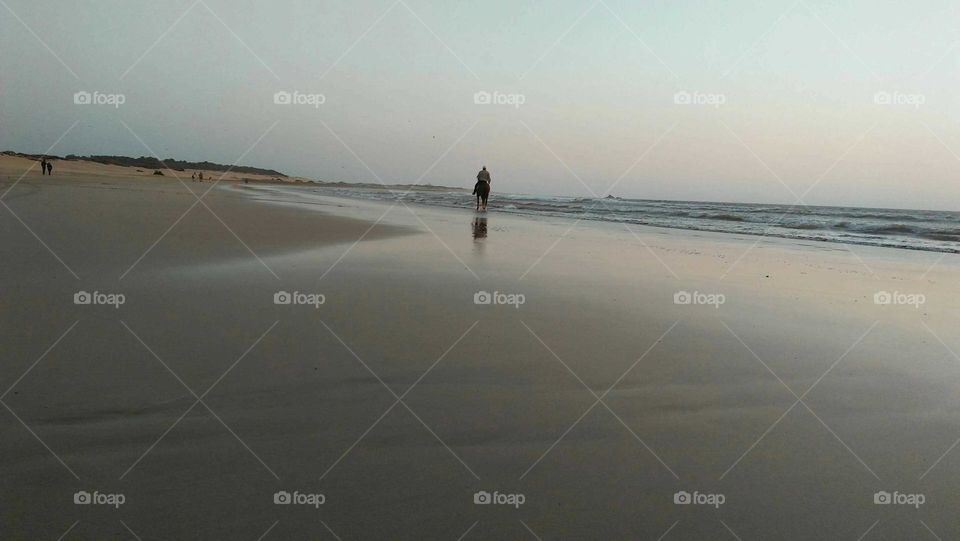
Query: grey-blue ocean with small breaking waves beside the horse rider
{"points": [[929, 230]]}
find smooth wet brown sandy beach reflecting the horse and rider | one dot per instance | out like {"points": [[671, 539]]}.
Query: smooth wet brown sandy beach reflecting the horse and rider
{"points": [[599, 398]]}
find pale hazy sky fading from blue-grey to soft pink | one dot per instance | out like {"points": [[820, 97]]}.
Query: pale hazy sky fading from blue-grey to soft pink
{"points": [[798, 101]]}
